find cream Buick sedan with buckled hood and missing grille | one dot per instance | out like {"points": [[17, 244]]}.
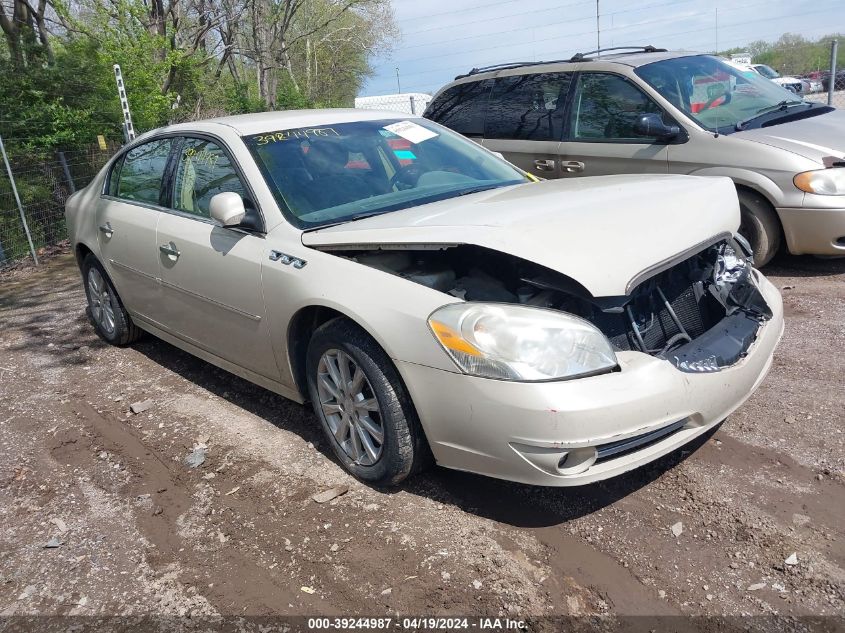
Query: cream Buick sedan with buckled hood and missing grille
{"points": [[428, 297]]}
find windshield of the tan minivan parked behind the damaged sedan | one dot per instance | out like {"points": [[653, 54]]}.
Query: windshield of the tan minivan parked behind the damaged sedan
{"points": [[715, 94]]}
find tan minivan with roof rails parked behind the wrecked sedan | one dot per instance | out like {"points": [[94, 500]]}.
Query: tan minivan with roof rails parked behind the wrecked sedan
{"points": [[653, 111]]}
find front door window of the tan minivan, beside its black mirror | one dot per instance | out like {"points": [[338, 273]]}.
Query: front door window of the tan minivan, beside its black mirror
{"points": [[606, 107]]}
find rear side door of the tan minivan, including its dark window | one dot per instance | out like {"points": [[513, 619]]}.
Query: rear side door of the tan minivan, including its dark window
{"points": [[524, 122]]}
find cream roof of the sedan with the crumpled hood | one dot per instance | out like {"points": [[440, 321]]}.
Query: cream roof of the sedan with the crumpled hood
{"points": [[247, 124]]}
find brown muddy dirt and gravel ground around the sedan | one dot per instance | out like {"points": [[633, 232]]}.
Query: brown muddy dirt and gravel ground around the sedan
{"points": [[138, 531]]}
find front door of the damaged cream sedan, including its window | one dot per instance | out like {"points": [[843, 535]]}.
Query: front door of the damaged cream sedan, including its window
{"points": [[211, 275]]}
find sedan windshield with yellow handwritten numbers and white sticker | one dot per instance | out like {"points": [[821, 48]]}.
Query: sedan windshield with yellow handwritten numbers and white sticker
{"points": [[337, 173]]}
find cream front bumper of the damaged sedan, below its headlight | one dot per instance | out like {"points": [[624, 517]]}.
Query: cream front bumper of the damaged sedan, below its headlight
{"points": [[569, 433]]}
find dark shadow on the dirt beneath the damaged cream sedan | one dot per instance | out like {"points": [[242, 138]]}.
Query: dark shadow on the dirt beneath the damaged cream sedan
{"points": [[502, 501]]}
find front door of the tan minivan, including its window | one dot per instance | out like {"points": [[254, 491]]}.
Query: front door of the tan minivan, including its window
{"points": [[600, 136]]}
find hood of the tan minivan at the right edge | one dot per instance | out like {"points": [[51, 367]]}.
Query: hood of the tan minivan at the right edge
{"points": [[816, 137]]}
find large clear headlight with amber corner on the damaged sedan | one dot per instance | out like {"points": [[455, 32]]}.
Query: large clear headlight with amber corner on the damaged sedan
{"points": [[513, 342]]}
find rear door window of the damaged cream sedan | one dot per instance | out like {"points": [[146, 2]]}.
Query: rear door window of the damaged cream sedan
{"points": [[139, 174]]}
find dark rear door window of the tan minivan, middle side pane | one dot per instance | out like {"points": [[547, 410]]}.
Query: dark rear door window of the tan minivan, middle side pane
{"points": [[528, 107]]}
